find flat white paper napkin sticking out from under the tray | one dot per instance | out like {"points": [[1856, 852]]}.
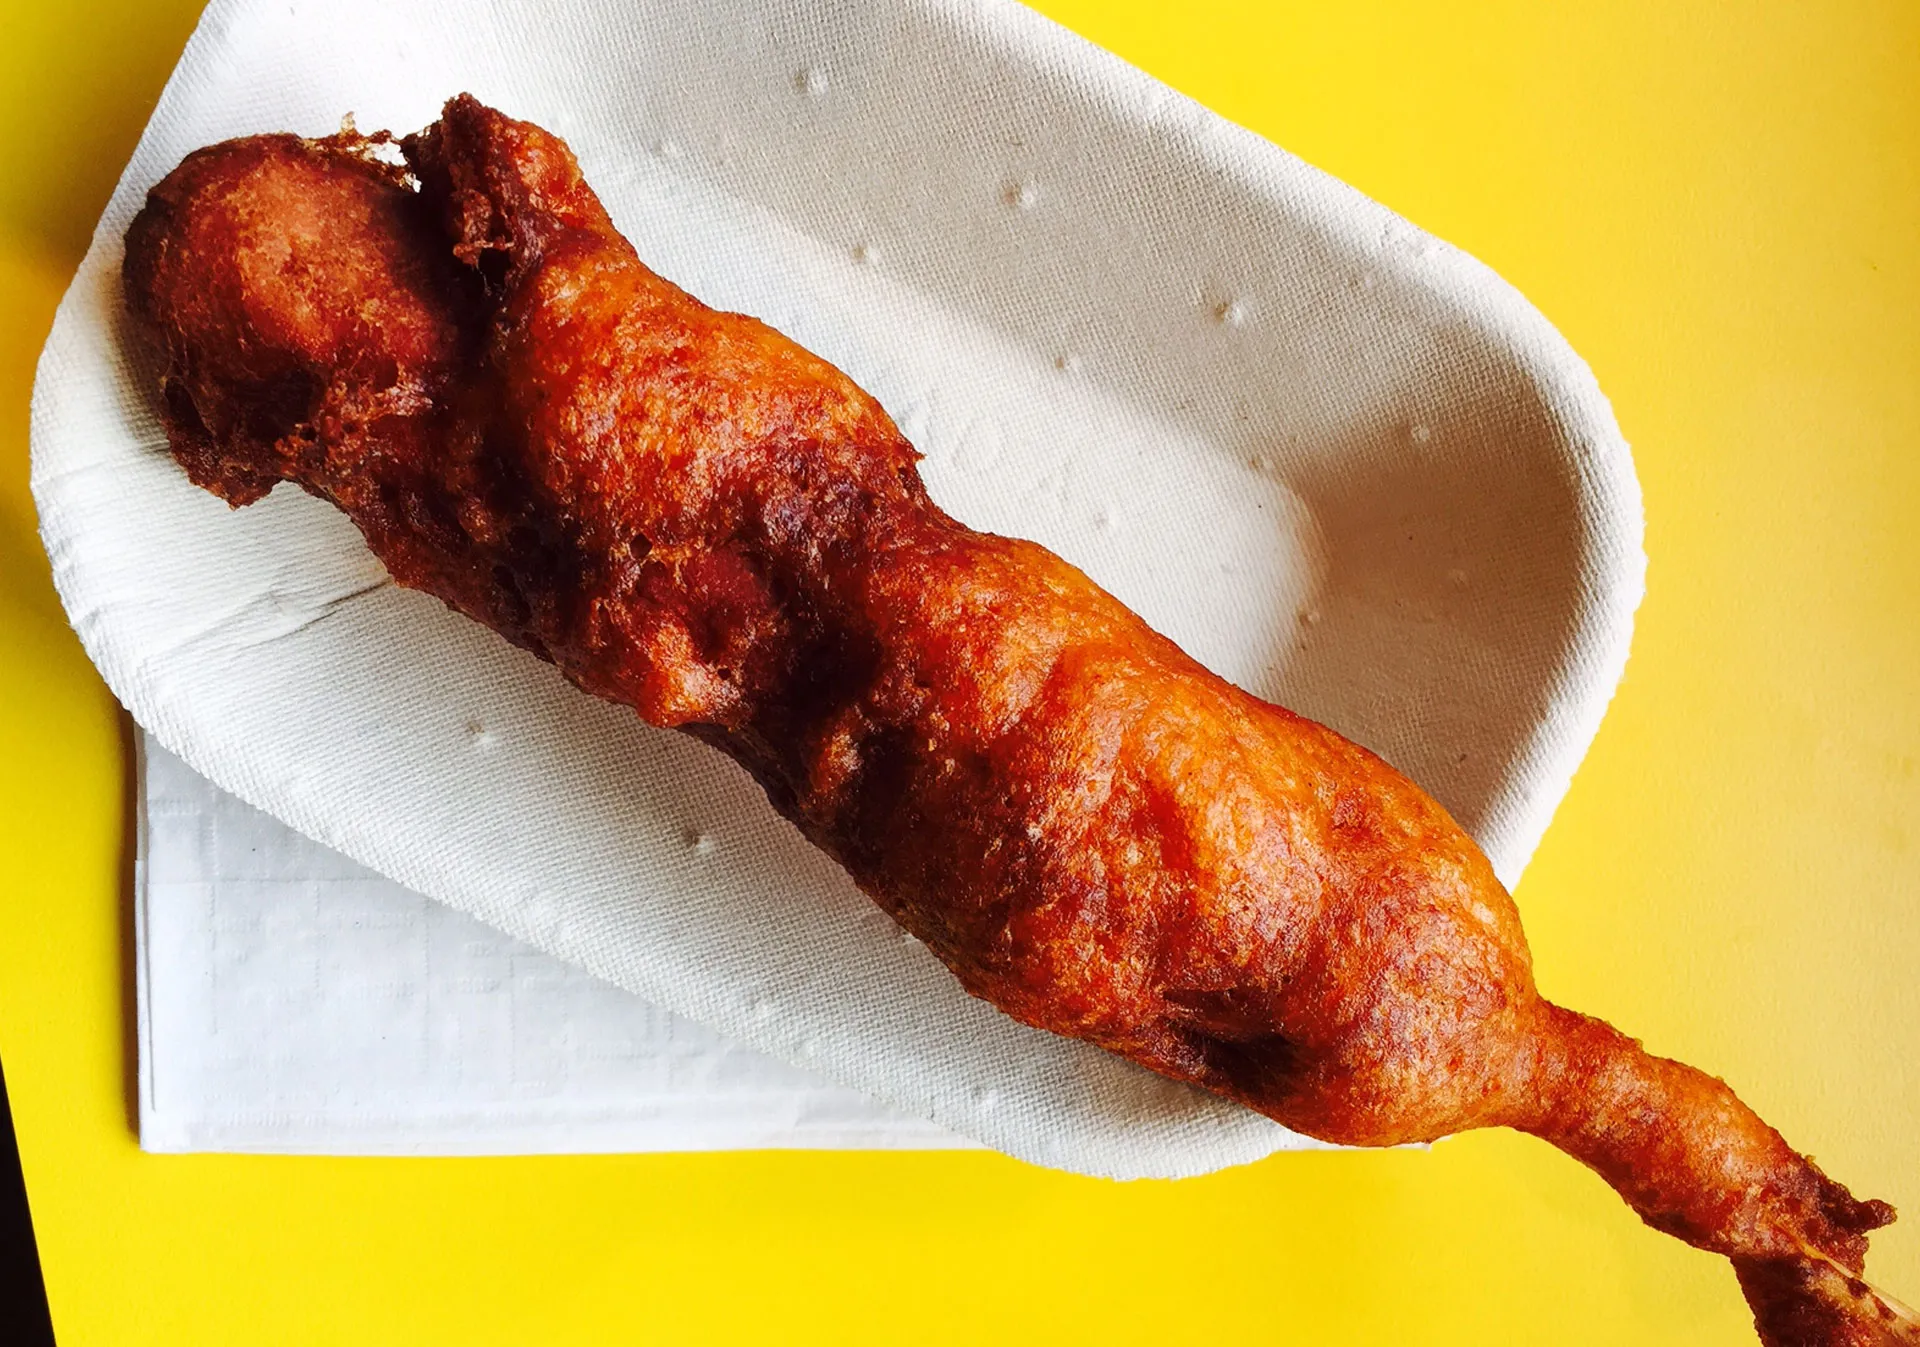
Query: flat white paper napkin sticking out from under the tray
{"points": [[291, 1001]]}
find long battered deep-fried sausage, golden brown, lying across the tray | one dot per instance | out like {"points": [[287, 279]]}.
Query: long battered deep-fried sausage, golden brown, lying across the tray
{"points": [[694, 517]]}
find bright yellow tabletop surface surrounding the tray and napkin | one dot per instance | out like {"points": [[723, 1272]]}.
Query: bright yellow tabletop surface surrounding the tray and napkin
{"points": [[1719, 204]]}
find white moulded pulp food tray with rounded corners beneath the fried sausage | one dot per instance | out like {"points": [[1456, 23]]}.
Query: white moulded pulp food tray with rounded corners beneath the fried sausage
{"points": [[1337, 460]]}
